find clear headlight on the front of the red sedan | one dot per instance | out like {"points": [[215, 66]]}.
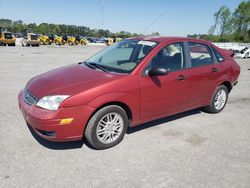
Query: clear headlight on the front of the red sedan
{"points": [[51, 102]]}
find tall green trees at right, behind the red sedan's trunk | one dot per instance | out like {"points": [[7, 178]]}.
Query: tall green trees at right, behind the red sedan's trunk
{"points": [[229, 26]]}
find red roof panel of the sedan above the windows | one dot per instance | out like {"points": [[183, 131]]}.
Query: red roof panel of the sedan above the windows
{"points": [[164, 39]]}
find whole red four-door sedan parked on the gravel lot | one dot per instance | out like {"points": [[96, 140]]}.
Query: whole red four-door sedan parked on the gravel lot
{"points": [[131, 82]]}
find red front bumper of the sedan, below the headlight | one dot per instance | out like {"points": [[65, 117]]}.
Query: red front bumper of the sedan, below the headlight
{"points": [[46, 123]]}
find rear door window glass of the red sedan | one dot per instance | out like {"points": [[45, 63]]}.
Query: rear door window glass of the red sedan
{"points": [[200, 54]]}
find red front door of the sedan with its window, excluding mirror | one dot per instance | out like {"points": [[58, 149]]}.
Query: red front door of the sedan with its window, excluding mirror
{"points": [[167, 94]]}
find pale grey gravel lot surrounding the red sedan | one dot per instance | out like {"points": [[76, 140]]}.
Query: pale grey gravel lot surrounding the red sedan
{"points": [[192, 149]]}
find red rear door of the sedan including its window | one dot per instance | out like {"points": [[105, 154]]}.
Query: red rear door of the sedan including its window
{"points": [[204, 73]]}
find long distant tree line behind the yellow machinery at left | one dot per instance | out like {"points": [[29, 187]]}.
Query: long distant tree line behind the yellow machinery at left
{"points": [[60, 29]]}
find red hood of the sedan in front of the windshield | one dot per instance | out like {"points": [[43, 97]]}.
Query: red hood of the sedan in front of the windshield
{"points": [[69, 80]]}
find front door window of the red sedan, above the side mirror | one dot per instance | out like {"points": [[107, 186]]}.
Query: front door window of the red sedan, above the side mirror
{"points": [[171, 58]]}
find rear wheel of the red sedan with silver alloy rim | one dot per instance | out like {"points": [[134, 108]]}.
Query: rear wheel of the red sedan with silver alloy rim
{"points": [[218, 101]]}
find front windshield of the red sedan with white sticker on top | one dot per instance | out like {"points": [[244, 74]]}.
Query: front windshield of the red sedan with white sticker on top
{"points": [[122, 57]]}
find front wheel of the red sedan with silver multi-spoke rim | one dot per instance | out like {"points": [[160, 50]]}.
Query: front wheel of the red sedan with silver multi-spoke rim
{"points": [[107, 127]]}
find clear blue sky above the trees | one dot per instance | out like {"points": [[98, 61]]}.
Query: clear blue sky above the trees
{"points": [[168, 17]]}
